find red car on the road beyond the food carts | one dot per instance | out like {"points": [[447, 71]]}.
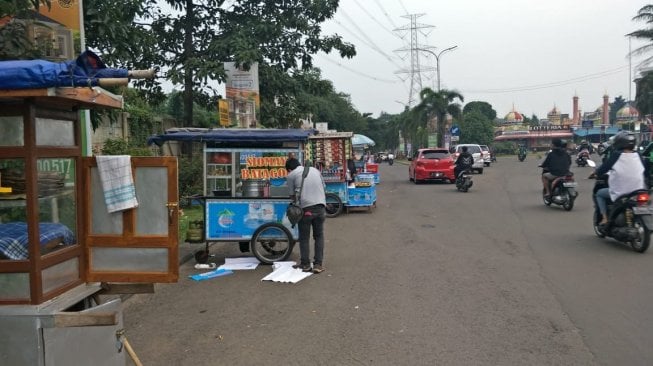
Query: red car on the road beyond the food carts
{"points": [[431, 164]]}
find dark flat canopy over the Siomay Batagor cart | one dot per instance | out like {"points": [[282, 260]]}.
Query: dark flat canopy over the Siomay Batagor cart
{"points": [[232, 135]]}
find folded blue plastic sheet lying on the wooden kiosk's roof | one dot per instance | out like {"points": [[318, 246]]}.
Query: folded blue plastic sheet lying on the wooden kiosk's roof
{"points": [[86, 70]]}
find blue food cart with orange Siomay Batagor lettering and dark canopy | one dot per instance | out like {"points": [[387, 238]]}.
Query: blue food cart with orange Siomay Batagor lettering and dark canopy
{"points": [[245, 192]]}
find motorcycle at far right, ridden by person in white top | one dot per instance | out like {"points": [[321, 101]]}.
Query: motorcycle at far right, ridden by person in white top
{"points": [[630, 217]]}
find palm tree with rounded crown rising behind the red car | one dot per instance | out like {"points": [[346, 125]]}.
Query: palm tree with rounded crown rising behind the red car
{"points": [[437, 105]]}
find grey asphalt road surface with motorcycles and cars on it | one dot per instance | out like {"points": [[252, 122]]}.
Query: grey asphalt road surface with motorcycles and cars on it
{"points": [[431, 276]]}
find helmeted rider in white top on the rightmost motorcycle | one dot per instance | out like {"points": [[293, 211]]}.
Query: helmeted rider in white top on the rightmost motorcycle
{"points": [[625, 172]]}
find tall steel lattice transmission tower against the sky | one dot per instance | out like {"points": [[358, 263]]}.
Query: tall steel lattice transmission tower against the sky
{"points": [[415, 71]]}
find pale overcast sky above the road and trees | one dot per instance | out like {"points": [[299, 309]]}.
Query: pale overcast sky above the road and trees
{"points": [[530, 55]]}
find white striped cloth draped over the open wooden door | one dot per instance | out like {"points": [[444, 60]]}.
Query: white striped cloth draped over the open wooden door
{"points": [[117, 182]]}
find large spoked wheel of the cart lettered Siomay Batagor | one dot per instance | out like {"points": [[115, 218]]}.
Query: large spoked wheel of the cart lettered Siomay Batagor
{"points": [[272, 242]]}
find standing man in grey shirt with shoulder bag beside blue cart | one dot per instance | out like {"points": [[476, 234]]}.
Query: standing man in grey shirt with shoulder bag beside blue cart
{"points": [[313, 202]]}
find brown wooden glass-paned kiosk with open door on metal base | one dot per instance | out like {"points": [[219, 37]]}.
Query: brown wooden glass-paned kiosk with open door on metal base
{"points": [[59, 247]]}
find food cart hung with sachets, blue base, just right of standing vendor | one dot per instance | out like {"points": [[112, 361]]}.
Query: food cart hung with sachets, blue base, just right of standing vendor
{"points": [[329, 153]]}
